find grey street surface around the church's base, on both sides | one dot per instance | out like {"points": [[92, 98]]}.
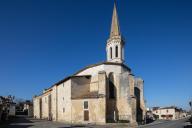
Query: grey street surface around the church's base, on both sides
{"points": [[24, 122]]}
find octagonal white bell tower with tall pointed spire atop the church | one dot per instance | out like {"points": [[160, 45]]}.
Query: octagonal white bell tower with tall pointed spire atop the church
{"points": [[115, 43]]}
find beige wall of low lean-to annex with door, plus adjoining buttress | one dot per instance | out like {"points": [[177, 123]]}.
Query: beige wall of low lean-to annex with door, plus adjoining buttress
{"points": [[96, 106]]}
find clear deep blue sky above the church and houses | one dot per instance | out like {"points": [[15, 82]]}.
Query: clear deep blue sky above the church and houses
{"points": [[42, 42]]}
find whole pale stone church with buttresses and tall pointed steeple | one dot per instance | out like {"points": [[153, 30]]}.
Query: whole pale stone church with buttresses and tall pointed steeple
{"points": [[99, 93]]}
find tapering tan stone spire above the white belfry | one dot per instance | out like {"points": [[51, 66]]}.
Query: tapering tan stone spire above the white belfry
{"points": [[115, 28]]}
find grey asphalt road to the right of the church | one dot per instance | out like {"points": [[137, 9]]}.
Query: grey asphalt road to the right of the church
{"points": [[167, 124]]}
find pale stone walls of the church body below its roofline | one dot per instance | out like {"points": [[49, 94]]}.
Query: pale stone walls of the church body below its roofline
{"points": [[66, 102]]}
